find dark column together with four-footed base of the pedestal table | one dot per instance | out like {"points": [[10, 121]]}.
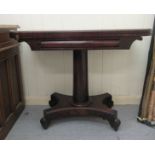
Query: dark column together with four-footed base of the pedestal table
{"points": [[80, 104]]}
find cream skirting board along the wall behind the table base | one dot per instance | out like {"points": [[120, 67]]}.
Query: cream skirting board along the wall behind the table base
{"points": [[118, 100]]}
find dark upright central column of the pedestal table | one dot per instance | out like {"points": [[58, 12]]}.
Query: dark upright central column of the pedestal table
{"points": [[80, 71]]}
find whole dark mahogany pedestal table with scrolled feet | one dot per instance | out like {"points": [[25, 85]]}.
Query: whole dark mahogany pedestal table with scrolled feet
{"points": [[80, 103]]}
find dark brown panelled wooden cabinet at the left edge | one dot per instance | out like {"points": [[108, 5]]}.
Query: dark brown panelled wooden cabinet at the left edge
{"points": [[11, 91]]}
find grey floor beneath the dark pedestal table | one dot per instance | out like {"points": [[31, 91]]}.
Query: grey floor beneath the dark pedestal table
{"points": [[28, 127]]}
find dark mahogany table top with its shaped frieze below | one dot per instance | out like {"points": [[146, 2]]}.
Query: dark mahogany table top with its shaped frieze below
{"points": [[81, 39]]}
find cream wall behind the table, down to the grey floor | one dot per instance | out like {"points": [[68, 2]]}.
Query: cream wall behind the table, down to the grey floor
{"points": [[119, 72]]}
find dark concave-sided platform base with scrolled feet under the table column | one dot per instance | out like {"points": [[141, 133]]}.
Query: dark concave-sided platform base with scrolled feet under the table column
{"points": [[64, 106]]}
